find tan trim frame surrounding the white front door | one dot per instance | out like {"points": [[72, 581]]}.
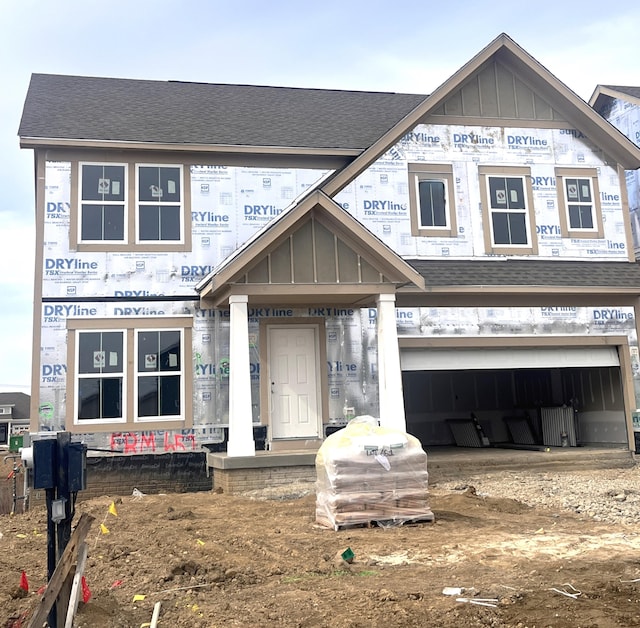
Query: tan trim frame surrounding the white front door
{"points": [[321, 361]]}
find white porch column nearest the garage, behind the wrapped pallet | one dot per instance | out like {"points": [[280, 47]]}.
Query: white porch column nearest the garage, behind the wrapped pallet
{"points": [[389, 373]]}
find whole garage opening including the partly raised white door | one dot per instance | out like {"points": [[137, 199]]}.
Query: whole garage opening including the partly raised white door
{"points": [[508, 390]]}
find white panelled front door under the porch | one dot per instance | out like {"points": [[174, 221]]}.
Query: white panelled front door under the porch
{"points": [[294, 381]]}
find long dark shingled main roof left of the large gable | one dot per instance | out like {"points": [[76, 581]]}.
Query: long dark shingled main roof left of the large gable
{"points": [[110, 109]]}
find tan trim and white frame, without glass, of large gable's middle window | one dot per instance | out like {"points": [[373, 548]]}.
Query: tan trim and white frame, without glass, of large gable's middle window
{"points": [[485, 173]]}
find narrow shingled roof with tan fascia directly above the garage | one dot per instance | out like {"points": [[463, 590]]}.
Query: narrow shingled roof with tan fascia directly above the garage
{"points": [[564, 281]]}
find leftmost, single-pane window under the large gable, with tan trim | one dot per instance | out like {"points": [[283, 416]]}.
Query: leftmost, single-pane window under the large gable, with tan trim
{"points": [[431, 197]]}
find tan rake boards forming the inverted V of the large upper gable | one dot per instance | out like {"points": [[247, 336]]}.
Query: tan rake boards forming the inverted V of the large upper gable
{"points": [[537, 78]]}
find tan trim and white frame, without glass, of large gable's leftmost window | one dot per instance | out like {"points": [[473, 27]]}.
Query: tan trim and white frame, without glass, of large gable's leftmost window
{"points": [[432, 172]]}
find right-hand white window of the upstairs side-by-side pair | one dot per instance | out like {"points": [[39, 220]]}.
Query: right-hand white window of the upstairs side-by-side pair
{"points": [[159, 203]]}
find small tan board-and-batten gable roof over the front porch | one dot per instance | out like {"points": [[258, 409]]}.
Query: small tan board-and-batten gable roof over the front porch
{"points": [[378, 266]]}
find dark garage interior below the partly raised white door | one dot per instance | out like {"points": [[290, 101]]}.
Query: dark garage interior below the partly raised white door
{"points": [[512, 406]]}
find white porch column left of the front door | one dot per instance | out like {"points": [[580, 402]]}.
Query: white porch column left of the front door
{"points": [[241, 441]]}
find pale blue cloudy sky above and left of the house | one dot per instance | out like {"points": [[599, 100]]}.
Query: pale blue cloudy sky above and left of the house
{"points": [[373, 45]]}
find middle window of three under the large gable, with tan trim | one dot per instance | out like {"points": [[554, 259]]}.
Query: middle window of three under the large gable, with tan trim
{"points": [[507, 210]]}
